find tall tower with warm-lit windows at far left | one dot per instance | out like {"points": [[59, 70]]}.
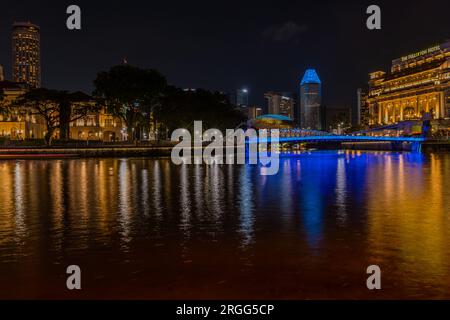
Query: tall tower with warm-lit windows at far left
{"points": [[26, 54]]}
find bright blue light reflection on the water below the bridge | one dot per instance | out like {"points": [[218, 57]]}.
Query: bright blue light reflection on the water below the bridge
{"points": [[310, 176]]}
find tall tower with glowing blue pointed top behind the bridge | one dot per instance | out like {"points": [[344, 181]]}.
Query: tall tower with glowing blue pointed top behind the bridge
{"points": [[311, 101]]}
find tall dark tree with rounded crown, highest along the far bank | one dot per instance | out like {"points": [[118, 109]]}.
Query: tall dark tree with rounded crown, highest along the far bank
{"points": [[130, 93]]}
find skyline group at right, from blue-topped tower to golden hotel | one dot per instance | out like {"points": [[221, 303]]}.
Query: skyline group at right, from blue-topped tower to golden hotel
{"points": [[416, 86]]}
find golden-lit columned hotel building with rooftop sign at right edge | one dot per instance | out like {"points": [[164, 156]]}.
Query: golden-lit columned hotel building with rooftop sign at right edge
{"points": [[416, 84]]}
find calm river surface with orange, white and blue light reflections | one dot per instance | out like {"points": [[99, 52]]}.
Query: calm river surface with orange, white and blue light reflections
{"points": [[144, 228]]}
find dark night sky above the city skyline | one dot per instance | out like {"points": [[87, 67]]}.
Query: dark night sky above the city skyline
{"points": [[223, 45]]}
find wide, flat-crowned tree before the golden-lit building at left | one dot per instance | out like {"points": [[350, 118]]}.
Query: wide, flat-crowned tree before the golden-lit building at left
{"points": [[57, 108]]}
